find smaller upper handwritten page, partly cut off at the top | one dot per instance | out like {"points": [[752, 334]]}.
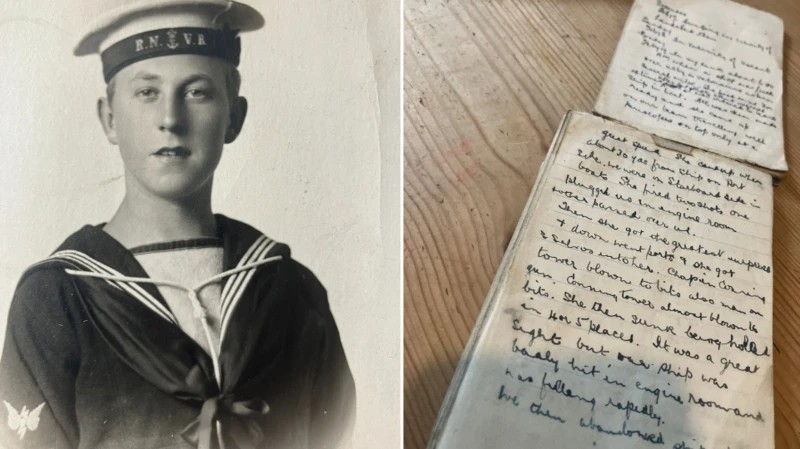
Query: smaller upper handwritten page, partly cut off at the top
{"points": [[706, 73]]}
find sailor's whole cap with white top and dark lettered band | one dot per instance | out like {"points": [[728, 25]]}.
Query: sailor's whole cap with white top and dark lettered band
{"points": [[140, 29]]}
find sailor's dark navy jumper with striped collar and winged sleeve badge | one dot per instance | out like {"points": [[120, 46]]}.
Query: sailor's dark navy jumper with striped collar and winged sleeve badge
{"points": [[93, 356]]}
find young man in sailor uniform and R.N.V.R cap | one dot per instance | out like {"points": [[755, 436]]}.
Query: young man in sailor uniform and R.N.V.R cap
{"points": [[169, 326]]}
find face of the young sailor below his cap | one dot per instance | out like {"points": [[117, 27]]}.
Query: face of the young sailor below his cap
{"points": [[169, 116]]}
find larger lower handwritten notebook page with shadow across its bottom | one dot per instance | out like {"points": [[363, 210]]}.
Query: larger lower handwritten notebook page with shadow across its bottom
{"points": [[632, 310]]}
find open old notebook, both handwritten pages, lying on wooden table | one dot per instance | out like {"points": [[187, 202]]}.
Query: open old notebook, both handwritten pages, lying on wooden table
{"points": [[633, 307]]}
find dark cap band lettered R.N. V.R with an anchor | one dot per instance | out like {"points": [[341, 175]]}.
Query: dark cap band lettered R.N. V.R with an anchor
{"points": [[222, 44]]}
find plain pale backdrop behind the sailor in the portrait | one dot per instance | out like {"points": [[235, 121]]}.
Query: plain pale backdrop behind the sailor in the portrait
{"points": [[317, 165]]}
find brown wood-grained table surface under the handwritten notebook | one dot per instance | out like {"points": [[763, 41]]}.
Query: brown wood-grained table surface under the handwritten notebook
{"points": [[486, 83]]}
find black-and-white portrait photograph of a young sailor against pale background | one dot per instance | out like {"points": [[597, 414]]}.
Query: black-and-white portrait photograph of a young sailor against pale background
{"points": [[201, 204]]}
